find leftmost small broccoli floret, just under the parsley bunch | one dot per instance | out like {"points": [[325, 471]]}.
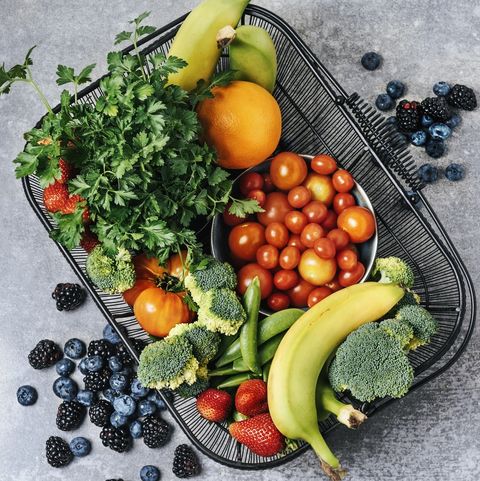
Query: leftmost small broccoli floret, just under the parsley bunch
{"points": [[113, 274]]}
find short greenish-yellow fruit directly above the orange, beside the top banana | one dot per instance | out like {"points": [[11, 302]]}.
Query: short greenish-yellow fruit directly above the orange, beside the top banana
{"points": [[253, 56]]}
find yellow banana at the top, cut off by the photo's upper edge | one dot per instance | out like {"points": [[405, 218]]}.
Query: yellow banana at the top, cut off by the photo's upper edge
{"points": [[196, 42]]}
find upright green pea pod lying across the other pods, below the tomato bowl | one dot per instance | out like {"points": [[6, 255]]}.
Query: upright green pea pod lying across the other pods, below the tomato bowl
{"points": [[249, 330]]}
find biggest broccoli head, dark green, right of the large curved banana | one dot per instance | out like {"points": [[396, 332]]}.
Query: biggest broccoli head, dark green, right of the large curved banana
{"points": [[371, 364]]}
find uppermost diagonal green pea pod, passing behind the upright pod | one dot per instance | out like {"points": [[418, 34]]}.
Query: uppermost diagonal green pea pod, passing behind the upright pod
{"points": [[268, 328]]}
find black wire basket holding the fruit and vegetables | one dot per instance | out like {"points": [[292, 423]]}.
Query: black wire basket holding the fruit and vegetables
{"points": [[319, 117]]}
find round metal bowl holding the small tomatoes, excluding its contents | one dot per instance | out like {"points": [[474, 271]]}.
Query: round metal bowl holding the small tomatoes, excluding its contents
{"points": [[219, 237]]}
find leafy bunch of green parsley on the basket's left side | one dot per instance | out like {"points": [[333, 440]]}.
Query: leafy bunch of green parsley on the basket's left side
{"points": [[140, 165]]}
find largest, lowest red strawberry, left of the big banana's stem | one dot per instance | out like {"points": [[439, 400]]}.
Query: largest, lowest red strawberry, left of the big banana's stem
{"points": [[259, 434]]}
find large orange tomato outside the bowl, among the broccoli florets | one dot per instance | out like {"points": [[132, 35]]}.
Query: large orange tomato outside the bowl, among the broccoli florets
{"points": [[158, 311]]}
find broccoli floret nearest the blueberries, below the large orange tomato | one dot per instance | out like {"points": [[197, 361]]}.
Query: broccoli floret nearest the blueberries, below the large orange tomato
{"points": [[168, 363]]}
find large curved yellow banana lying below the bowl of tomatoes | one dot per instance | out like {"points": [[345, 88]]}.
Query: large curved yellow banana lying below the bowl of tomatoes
{"points": [[304, 350]]}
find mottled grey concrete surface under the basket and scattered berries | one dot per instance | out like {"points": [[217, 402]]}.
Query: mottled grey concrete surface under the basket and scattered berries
{"points": [[433, 434]]}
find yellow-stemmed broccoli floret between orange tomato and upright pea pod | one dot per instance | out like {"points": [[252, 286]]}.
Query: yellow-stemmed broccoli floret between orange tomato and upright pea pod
{"points": [[221, 311]]}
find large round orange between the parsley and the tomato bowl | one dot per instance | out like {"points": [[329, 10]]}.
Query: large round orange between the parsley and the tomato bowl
{"points": [[242, 122]]}
